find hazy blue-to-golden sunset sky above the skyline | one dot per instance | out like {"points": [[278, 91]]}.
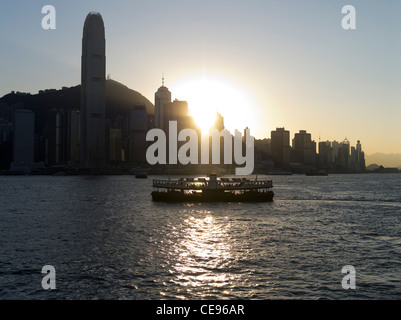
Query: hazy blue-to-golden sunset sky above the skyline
{"points": [[262, 64]]}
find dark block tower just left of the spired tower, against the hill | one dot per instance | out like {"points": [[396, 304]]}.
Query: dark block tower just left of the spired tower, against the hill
{"points": [[137, 136]]}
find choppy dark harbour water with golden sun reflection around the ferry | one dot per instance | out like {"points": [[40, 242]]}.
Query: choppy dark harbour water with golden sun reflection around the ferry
{"points": [[108, 240]]}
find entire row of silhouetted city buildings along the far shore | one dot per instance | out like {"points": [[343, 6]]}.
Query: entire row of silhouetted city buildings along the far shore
{"points": [[84, 138]]}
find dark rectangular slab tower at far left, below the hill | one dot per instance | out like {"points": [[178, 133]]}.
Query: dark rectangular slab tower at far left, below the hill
{"points": [[24, 137]]}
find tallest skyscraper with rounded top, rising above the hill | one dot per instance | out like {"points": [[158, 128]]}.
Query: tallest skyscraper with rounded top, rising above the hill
{"points": [[93, 92]]}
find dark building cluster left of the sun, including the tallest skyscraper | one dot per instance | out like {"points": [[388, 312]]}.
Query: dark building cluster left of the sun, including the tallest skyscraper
{"points": [[83, 137]]}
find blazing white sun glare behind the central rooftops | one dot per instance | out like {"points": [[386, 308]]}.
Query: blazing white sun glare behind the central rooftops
{"points": [[208, 95]]}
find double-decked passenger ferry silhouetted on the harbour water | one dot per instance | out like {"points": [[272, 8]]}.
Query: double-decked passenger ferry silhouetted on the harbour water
{"points": [[212, 189]]}
